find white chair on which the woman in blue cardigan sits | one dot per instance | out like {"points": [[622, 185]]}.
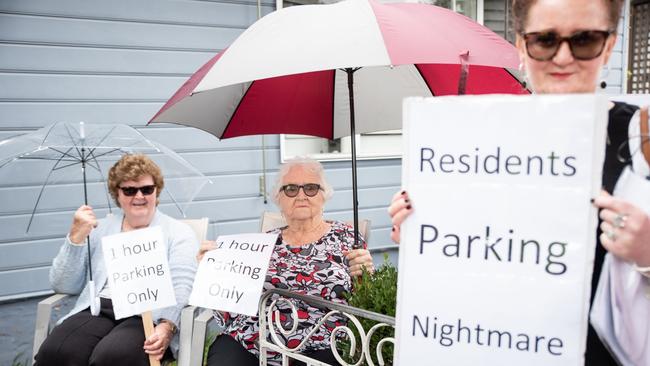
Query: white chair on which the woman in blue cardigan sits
{"points": [[44, 308]]}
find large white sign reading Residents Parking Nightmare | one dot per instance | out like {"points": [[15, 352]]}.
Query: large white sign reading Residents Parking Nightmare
{"points": [[496, 260]]}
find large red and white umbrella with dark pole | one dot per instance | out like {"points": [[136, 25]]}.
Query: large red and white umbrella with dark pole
{"points": [[340, 69]]}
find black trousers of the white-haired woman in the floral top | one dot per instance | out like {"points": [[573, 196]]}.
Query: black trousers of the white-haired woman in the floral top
{"points": [[226, 351]]}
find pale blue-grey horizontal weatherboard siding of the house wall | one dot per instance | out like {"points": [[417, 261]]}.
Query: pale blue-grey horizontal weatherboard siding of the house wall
{"points": [[118, 62]]}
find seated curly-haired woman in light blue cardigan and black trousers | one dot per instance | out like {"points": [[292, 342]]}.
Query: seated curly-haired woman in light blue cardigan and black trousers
{"points": [[135, 183]]}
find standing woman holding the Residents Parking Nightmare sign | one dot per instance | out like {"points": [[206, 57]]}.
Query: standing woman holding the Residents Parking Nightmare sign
{"points": [[563, 45]]}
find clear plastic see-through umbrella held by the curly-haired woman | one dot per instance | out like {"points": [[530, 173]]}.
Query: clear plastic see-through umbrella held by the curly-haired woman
{"points": [[44, 168]]}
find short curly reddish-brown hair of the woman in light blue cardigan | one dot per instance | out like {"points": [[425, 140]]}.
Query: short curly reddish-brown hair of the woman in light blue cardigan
{"points": [[134, 167]]}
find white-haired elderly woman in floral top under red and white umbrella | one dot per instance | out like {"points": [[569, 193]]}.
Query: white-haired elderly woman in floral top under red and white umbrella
{"points": [[312, 256]]}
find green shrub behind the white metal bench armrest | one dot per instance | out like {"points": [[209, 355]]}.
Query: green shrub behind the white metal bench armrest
{"points": [[376, 292]]}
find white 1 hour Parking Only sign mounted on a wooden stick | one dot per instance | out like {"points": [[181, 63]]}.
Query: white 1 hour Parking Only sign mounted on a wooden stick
{"points": [[138, 271]]}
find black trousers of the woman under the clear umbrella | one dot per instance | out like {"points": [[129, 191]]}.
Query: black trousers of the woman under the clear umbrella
{"points": [[83, 340]]}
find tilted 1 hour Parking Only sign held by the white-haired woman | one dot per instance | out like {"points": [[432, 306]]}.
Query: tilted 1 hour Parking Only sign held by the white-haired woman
{"points": [[230, 277]]}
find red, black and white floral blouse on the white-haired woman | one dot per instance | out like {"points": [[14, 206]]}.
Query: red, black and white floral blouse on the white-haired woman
{"points": [[317, 269]]}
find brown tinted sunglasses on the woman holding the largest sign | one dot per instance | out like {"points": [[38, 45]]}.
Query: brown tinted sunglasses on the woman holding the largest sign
{"points": [[584, 45]]}
